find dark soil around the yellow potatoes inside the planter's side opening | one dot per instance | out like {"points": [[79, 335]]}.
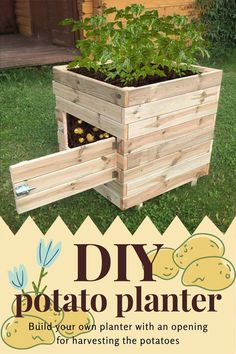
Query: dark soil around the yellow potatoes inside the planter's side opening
{"points": [[73, 138]]}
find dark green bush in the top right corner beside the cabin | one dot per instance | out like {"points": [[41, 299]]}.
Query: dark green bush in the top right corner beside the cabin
{"points": [[219, 18]]}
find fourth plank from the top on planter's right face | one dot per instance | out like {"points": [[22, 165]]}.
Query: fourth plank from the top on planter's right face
{"points": [[149, 140]]}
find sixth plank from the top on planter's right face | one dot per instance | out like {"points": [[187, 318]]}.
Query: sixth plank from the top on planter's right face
{"points": [[161, 163]]}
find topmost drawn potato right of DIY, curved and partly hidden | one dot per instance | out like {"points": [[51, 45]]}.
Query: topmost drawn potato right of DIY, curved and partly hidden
{"points": [[198, 246]]}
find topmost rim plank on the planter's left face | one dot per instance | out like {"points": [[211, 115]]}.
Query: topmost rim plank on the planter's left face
{"points": [[91, 86]]}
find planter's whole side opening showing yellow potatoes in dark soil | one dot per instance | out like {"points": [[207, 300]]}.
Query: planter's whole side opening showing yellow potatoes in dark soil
{"points": [[82, 133]]}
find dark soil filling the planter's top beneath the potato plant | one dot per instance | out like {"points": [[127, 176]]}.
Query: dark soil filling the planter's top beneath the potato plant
{"points": [[170, 75]]}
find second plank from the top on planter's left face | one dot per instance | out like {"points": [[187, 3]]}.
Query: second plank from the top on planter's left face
{"points": [[114, 112]]}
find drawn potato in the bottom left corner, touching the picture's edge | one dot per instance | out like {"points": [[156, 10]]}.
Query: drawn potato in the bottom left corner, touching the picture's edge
{"points": [[16, 334]]}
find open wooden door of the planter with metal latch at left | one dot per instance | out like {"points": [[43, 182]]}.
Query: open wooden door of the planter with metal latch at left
{"points": [[50, 178]]}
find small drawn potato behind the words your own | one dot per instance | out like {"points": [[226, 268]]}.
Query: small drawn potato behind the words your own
{"points": [[76, 323]]}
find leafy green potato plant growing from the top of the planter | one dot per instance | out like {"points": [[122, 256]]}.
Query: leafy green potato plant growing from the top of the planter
{"points": [[137, 43]]}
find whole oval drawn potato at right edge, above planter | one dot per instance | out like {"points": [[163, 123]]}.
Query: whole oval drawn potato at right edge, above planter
{"points": [[210, 273]]}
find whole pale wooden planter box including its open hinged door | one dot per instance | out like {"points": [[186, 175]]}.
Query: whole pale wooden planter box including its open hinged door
{"points": [[163, 136]]}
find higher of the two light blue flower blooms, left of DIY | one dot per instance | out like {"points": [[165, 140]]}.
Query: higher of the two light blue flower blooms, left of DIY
{"points": [[46, 254]]}
